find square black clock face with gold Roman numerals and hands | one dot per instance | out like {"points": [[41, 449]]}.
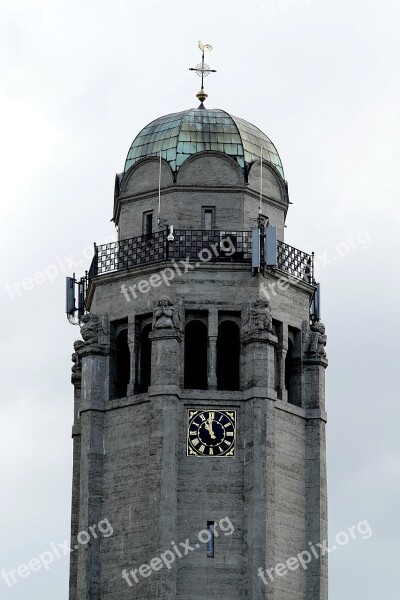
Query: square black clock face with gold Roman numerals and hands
{"points": [[211, 432]]}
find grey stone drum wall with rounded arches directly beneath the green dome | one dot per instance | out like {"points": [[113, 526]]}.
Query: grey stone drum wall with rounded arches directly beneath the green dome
{"points": [[205, 179]]}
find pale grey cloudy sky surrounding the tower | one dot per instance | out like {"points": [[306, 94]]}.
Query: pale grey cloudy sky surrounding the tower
{"points": [[78, 80]]}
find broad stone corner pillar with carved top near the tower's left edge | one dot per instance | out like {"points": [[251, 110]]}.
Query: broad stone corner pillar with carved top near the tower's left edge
{"points": [[94, 357]]}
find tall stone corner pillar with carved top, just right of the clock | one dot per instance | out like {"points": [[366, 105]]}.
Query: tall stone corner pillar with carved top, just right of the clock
{"points": [[259, 344]]}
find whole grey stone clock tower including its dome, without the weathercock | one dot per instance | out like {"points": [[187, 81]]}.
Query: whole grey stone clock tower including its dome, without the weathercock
{"points": [[199, 433]]}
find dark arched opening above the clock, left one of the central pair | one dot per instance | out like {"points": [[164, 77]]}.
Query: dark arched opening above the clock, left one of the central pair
{"points": [[196, 362]]}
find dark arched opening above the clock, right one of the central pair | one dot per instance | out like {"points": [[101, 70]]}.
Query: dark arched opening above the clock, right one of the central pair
{"points": [[228, 356]]}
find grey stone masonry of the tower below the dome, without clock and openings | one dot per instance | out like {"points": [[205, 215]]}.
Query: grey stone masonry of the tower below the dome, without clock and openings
{"points": [[130, 463]]}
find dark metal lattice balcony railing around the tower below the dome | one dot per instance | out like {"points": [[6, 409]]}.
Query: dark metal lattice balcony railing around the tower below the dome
{"points": [[199, 246]]}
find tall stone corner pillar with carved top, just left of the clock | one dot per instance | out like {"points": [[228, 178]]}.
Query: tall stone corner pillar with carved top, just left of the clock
{"points": [[166, 341]]}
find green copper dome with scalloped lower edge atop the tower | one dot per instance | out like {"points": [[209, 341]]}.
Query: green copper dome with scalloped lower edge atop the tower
{"points": [[182, 134]]}
